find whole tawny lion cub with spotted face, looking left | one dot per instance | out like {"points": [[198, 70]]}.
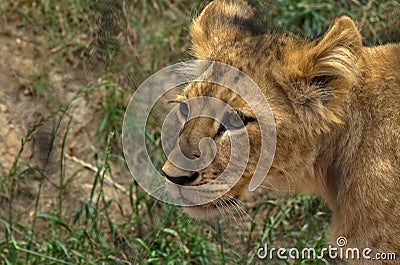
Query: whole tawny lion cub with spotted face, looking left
{"points": [[336, 106]]}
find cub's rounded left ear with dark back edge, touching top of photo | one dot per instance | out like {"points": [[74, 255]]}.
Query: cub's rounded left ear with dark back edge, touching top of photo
{"points": [[222, 22]]}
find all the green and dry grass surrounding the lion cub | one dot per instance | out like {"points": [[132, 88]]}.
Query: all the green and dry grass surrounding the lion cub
{"points": [[116, 45]]}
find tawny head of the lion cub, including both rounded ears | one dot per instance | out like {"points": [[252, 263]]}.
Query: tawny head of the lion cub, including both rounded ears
{"points": [[305, 83]]}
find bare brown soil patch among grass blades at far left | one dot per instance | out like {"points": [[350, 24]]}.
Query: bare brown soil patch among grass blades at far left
{"points": [[24, 109]]}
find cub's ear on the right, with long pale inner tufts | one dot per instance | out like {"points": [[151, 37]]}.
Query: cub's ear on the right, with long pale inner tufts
{"points": [[320, 75]]}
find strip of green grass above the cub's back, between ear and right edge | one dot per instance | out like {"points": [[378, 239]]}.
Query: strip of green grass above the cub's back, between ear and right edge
{"points": [[377, 20]]}
